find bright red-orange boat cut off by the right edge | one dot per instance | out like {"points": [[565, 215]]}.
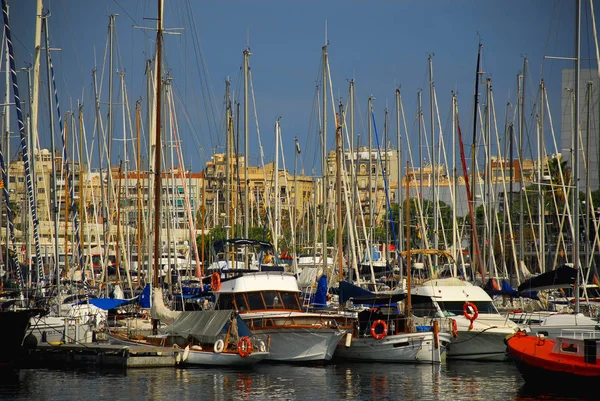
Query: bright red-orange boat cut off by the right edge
{"points": [[570, 360]]}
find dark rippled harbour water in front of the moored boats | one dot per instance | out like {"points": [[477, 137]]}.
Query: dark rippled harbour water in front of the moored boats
{"points": [[348, 381]]}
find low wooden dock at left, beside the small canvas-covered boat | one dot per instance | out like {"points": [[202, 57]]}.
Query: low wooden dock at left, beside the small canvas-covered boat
{"points": [[100, 356]]}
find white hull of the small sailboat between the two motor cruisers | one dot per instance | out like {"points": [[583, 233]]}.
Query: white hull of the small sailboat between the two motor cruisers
{"points": [[399, 348]]}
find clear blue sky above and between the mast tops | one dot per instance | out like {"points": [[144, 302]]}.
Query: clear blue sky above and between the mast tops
{"points": [[382, 45]]}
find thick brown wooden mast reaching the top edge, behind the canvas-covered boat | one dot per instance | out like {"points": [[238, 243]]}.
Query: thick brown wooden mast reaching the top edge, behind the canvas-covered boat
{"points": [[157, 153]]}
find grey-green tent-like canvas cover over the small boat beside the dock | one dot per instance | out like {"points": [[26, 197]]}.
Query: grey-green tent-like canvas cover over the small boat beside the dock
{"points": [[205, 326]]}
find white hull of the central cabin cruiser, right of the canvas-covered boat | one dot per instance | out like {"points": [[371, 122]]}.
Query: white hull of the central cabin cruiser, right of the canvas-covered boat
{"points": [[302, 344]]}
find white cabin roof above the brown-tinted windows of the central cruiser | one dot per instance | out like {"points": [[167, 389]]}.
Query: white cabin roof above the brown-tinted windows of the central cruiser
{"points": [[260, 281]]}
